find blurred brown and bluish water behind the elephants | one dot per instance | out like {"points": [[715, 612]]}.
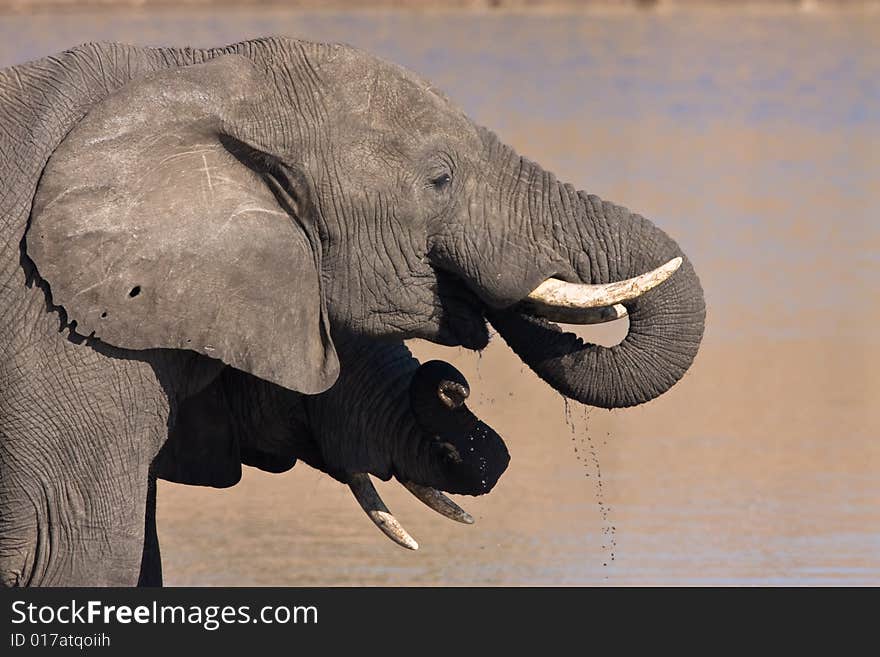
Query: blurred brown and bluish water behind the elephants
{"points": [[752, 137]]}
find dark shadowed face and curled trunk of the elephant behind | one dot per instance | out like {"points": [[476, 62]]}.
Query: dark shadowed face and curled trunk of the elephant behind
{"points": [[392, 417]]}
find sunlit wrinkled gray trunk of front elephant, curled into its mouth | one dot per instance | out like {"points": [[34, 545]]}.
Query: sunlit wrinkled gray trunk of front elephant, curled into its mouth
{"points": [[605, 243]]}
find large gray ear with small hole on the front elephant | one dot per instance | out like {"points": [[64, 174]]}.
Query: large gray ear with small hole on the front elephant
{"points": [[153, 229]]}
